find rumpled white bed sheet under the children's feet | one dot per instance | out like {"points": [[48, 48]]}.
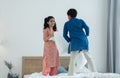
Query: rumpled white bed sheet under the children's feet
{"points": [[81, 75]]}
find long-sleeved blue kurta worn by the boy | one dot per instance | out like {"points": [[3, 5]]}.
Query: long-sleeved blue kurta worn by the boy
{"points": [[75, 32]]}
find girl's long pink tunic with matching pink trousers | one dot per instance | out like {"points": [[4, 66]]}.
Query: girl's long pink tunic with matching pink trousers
{"points": [[51, 55]]}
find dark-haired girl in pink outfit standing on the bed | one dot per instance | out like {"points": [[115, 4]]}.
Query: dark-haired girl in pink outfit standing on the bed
{"points": [[51, 55]]}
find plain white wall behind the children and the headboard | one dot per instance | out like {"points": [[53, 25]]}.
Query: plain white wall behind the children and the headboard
{"points": [[21, 24]]}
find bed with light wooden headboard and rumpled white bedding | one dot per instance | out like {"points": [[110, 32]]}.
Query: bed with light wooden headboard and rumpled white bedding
{"points": [[32, 67]]}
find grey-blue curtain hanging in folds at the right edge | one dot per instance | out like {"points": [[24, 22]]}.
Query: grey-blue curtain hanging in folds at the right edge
{"points": [[113, 37]]}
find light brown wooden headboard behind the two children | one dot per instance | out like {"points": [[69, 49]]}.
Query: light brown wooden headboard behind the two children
{"points": [[31, 64]]}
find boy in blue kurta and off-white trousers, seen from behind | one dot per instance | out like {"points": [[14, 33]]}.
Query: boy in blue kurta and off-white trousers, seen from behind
{"points": [[77, 39]]}
